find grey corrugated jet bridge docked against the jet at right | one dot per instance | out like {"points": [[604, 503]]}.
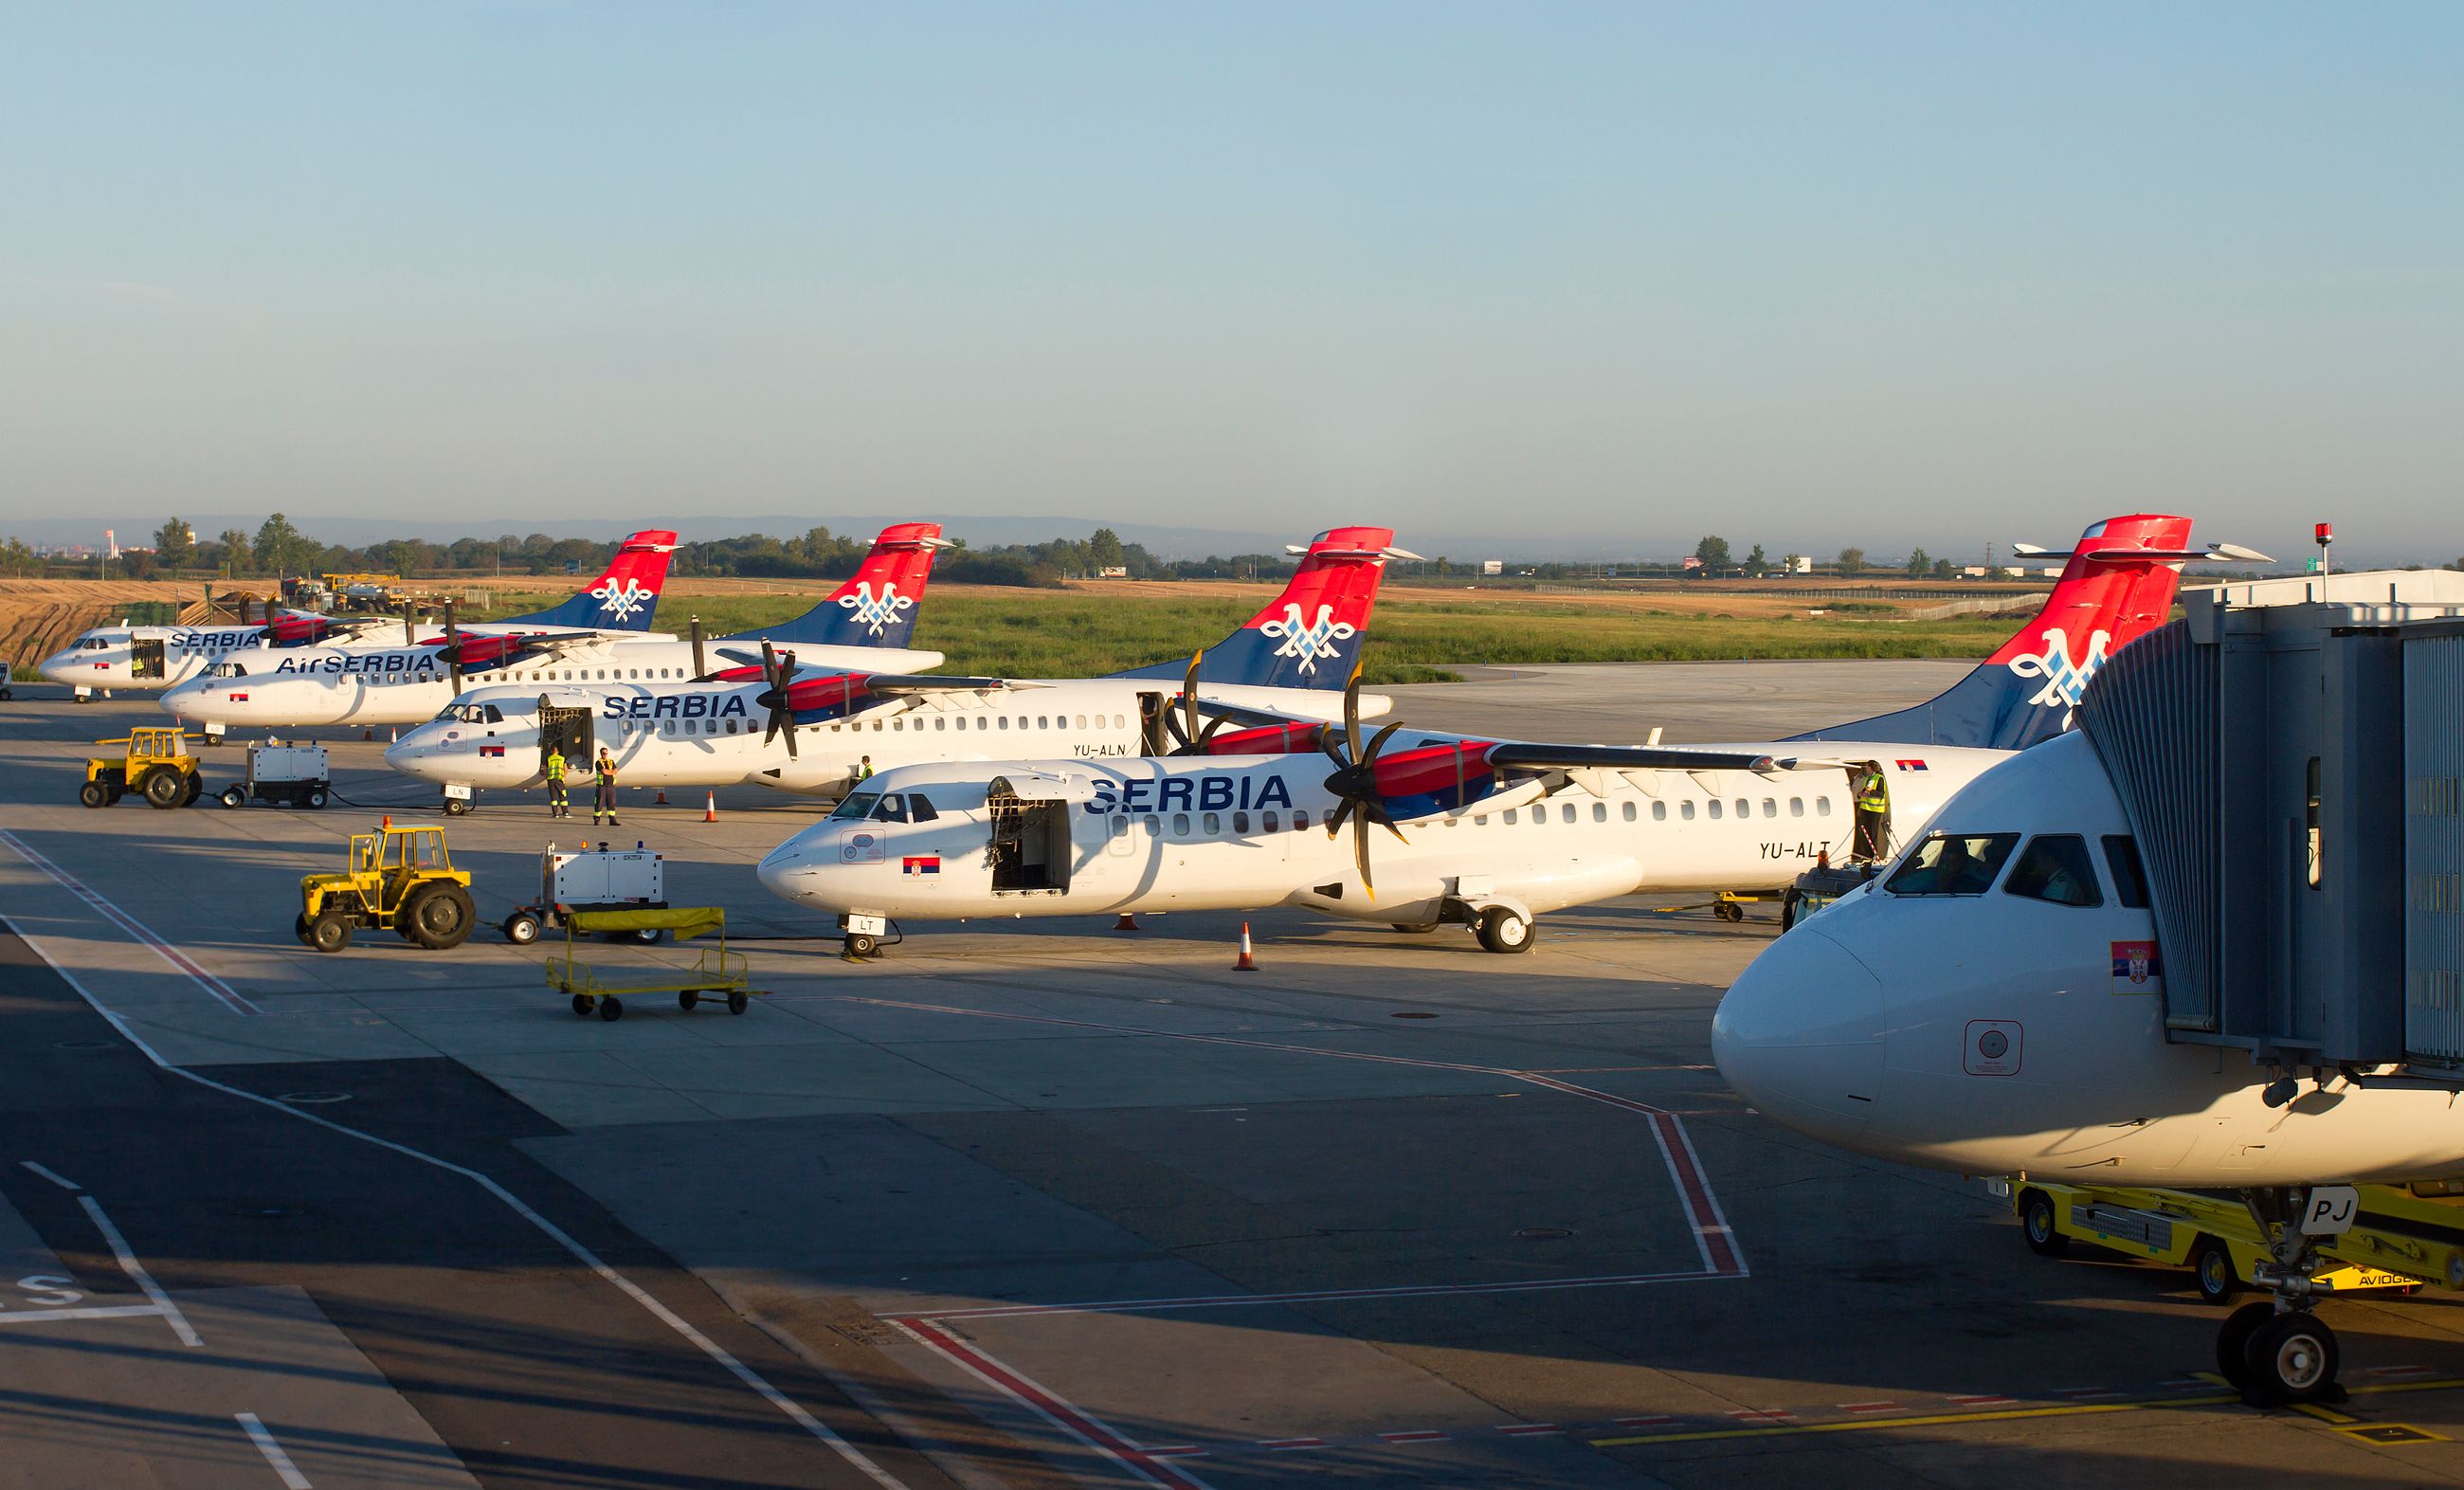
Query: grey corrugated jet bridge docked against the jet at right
{"points": [[2290, 760]]}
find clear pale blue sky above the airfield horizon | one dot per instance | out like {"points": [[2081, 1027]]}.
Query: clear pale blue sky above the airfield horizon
{"points": [[1805, 275]]}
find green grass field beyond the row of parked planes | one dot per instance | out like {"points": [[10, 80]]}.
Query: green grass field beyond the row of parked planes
{"points": [[1416, 637]]}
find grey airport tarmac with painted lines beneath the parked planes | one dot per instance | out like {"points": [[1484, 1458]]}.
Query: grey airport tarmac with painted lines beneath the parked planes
{"points": [[1016, 1206]]}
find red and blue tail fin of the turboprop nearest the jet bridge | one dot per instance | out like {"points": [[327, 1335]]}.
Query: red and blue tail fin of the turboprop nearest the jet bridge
{"points": [[2115, 587]]}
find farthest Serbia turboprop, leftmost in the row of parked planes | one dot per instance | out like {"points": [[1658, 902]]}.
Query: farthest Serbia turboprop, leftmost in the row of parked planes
{"points": [[169, 656]]}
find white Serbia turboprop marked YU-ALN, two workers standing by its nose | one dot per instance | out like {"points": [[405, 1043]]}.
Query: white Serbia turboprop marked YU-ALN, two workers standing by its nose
{"points": [[804, 720]]}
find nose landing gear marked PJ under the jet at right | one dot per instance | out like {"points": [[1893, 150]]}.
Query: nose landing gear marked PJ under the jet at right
{"points": [[2280, 1351]]}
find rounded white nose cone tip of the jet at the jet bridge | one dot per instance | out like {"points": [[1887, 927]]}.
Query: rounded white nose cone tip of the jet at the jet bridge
{"points": [[1800, 1036]]}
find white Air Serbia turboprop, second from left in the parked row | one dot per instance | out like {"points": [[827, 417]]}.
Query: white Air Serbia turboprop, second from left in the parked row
{"points": [[869, 617]]}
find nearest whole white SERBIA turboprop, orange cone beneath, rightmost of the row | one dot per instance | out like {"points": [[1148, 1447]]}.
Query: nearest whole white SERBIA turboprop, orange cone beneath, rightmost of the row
{"points": [[1482, 834]]}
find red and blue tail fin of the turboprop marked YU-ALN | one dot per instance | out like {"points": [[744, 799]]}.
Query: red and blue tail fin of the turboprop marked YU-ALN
{"points": [[1307, 637]]}
